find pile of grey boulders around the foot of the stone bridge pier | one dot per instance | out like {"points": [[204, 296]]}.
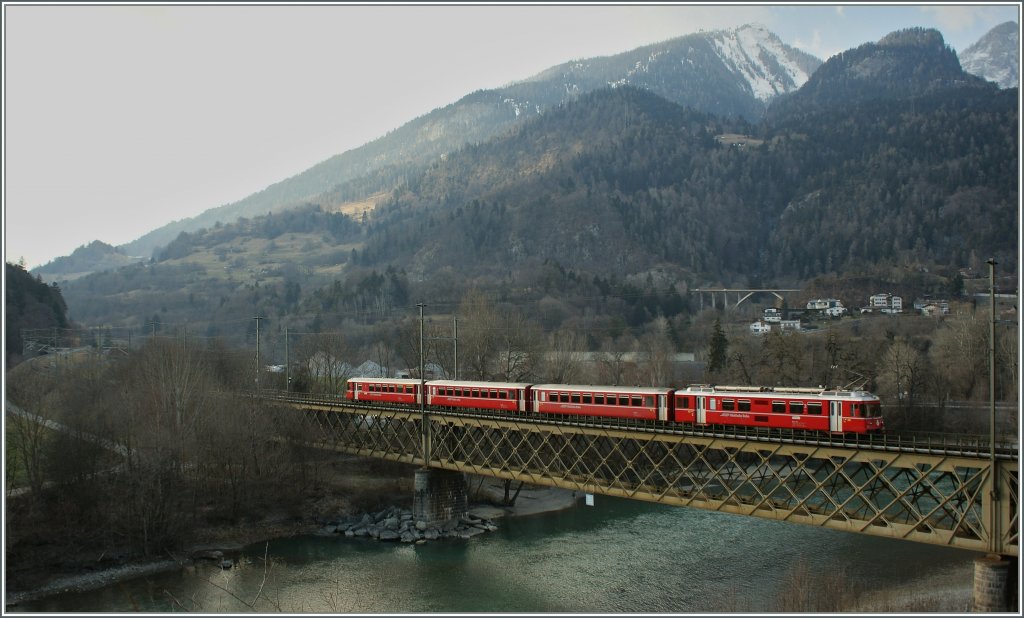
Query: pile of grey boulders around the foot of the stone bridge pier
{"points": [[398, 525]]}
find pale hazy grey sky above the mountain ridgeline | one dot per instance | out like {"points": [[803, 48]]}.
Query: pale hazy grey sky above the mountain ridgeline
{"points": [[120, 119]]}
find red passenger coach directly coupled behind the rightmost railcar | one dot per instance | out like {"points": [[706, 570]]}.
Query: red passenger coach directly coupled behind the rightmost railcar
{"points": [[618, 403]]}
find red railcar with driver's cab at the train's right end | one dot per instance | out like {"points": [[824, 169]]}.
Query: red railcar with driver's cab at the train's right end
{"points": [[815, 410]]}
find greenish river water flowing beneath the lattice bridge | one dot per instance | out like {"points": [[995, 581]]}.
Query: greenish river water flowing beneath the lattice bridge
{"points": [[618, 556]]}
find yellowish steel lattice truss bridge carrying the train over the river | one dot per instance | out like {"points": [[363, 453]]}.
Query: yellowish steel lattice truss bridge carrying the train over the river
{"points": [[940, 492]]}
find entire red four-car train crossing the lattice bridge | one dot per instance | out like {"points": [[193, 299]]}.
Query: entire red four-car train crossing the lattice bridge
{"points": [[816, 410]]}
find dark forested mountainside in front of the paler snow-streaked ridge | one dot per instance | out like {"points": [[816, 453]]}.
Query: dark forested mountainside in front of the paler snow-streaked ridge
{"points": [[629, 198]]}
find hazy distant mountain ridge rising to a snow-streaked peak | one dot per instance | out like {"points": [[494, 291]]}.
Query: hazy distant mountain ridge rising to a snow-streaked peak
{"points": [[731, 72]]}
